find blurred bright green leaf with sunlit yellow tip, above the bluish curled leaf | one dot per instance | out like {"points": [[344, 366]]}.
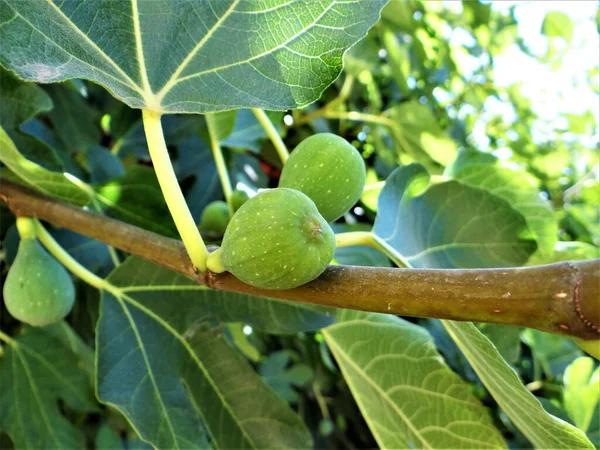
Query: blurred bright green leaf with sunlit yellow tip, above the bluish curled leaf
{"points": [[419, 132]]}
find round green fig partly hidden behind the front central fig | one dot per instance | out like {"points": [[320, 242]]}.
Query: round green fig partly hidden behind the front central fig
{"points": [[327, 169]]}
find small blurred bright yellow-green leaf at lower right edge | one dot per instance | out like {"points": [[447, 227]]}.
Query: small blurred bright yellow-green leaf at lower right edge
{"points": [[582, 391]]}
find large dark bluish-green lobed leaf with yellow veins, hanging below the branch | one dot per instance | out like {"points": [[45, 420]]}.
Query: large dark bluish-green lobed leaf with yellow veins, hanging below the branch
{"points": [[170, 374]]}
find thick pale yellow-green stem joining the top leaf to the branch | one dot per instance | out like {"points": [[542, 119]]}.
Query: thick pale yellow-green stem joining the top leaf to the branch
{"points": [[172, 192]]}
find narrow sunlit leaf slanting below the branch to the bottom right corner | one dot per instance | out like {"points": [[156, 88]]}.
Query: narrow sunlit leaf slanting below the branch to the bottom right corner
{"points": [[541, 428]]}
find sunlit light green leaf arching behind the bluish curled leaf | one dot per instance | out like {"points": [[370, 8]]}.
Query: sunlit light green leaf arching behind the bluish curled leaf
{"points": [[518, 189]]}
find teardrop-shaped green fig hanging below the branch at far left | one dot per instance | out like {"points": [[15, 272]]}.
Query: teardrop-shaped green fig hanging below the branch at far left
{"points": [[38, 290]]}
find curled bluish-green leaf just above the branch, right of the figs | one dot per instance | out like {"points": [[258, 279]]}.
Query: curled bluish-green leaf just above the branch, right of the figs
{"points": [[449, 224]]}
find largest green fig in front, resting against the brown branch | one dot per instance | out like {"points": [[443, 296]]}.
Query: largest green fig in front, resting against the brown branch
{"points": [[277, 240]]}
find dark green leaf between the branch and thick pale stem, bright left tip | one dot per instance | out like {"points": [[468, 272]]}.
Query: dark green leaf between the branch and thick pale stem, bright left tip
{"points": [[136, 198]]}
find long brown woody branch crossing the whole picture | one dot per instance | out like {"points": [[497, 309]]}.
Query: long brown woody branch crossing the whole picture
{"points": [[561, 298]]}
